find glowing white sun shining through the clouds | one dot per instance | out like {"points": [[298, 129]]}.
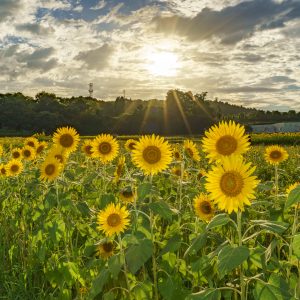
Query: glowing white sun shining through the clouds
{"points": [[162, 63]]}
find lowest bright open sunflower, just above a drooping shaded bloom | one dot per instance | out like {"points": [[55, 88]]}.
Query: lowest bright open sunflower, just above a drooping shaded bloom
{"points": [[113, 219]]}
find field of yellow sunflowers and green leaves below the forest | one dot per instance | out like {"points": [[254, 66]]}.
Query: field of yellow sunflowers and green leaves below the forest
{"points": [[102, 218]]}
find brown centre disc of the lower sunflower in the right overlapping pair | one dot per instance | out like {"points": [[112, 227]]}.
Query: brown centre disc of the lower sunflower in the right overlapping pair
{"points": [[231, 184]]}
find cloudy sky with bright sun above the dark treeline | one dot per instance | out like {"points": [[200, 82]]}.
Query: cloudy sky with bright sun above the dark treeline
{"points": [[243, 52]]}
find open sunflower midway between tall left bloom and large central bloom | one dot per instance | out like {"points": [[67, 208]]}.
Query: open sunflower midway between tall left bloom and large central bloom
{"points": [[105, 147]]}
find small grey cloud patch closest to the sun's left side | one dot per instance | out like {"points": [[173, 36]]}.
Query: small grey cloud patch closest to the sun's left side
{"points": [[97, 58]]}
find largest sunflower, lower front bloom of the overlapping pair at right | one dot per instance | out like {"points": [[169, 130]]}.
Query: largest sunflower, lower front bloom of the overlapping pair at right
{"points": [[230, 184]]}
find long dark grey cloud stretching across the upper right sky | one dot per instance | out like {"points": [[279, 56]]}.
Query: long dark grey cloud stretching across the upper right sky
{"points": [[231, 24]]}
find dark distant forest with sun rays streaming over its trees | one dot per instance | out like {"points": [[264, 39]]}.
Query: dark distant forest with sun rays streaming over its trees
{"points": [[181, 113]]}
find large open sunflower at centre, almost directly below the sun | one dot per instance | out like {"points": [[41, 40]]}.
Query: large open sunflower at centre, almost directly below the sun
{"points": [[152, 154]]}
